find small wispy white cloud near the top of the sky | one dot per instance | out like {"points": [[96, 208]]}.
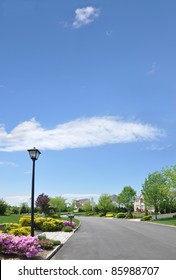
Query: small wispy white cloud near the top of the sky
{"points": [[85, 16]]}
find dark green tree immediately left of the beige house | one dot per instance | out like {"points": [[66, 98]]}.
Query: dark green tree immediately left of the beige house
{"points": [[127, 197]]}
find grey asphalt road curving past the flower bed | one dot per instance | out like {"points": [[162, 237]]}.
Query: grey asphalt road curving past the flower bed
{"points": [[115, 239]]}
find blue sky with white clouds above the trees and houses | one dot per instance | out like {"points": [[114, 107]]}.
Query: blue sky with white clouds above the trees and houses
{"points": [[92, 85]]}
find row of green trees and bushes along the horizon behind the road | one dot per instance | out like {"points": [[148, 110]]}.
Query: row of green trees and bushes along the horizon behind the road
{"points": [[158, 190]]}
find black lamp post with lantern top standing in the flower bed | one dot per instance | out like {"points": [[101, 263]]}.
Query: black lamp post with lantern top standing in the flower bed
{"points": [[34, 155]]}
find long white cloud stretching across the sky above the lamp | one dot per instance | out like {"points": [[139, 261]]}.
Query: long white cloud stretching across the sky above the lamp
{"points": [[79, 133]]}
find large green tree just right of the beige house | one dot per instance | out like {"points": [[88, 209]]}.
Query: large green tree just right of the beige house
{"points": [[155, 191]]}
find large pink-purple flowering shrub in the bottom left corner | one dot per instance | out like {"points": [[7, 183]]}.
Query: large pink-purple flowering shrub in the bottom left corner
{"points": [[19, 245]]}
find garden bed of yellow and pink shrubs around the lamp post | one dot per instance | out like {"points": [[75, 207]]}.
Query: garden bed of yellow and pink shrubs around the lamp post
{"points": [[16, 242]]}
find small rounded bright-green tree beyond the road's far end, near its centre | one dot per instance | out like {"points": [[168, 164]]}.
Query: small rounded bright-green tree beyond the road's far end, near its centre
{"points": [[105, 203]]}
